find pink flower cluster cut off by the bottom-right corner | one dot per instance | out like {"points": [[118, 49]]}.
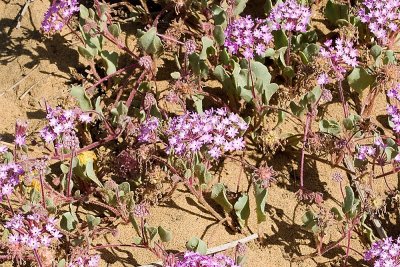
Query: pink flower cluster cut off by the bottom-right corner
{"points": [[384, 253]]}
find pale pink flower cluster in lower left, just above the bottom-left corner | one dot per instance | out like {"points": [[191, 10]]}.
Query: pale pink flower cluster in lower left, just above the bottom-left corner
{"points": [[32, 231]]}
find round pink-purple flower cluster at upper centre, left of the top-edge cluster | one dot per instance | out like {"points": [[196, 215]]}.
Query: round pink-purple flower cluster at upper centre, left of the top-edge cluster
{"points": [[248, 37]]}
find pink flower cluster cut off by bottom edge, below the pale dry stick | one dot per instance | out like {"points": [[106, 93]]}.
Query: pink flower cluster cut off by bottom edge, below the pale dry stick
{"points": [[197, 260]]}
